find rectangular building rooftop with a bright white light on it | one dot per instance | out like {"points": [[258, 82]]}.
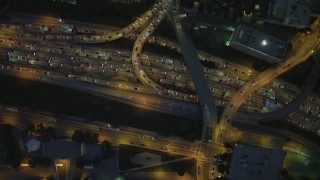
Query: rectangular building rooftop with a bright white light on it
{"points": [[258, 44]]}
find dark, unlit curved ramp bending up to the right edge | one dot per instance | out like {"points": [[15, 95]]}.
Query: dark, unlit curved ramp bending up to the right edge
{"points": [[293, 105]]}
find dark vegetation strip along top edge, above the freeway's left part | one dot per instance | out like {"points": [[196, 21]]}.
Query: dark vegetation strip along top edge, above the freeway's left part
{"points": [[103, 11]]}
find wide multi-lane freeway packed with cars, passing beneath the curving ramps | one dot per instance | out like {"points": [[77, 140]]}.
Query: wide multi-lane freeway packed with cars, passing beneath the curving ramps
{"points": [[110, 63]]}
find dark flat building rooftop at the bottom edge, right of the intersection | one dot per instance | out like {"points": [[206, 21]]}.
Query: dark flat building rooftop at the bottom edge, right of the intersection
{"points": [[253, 163]]}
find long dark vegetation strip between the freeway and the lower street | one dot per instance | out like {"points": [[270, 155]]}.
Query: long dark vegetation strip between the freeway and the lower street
{"points": [[40, 96]]}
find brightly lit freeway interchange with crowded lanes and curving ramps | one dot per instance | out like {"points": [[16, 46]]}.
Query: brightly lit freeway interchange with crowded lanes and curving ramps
{"points": [[46, 49]]}
